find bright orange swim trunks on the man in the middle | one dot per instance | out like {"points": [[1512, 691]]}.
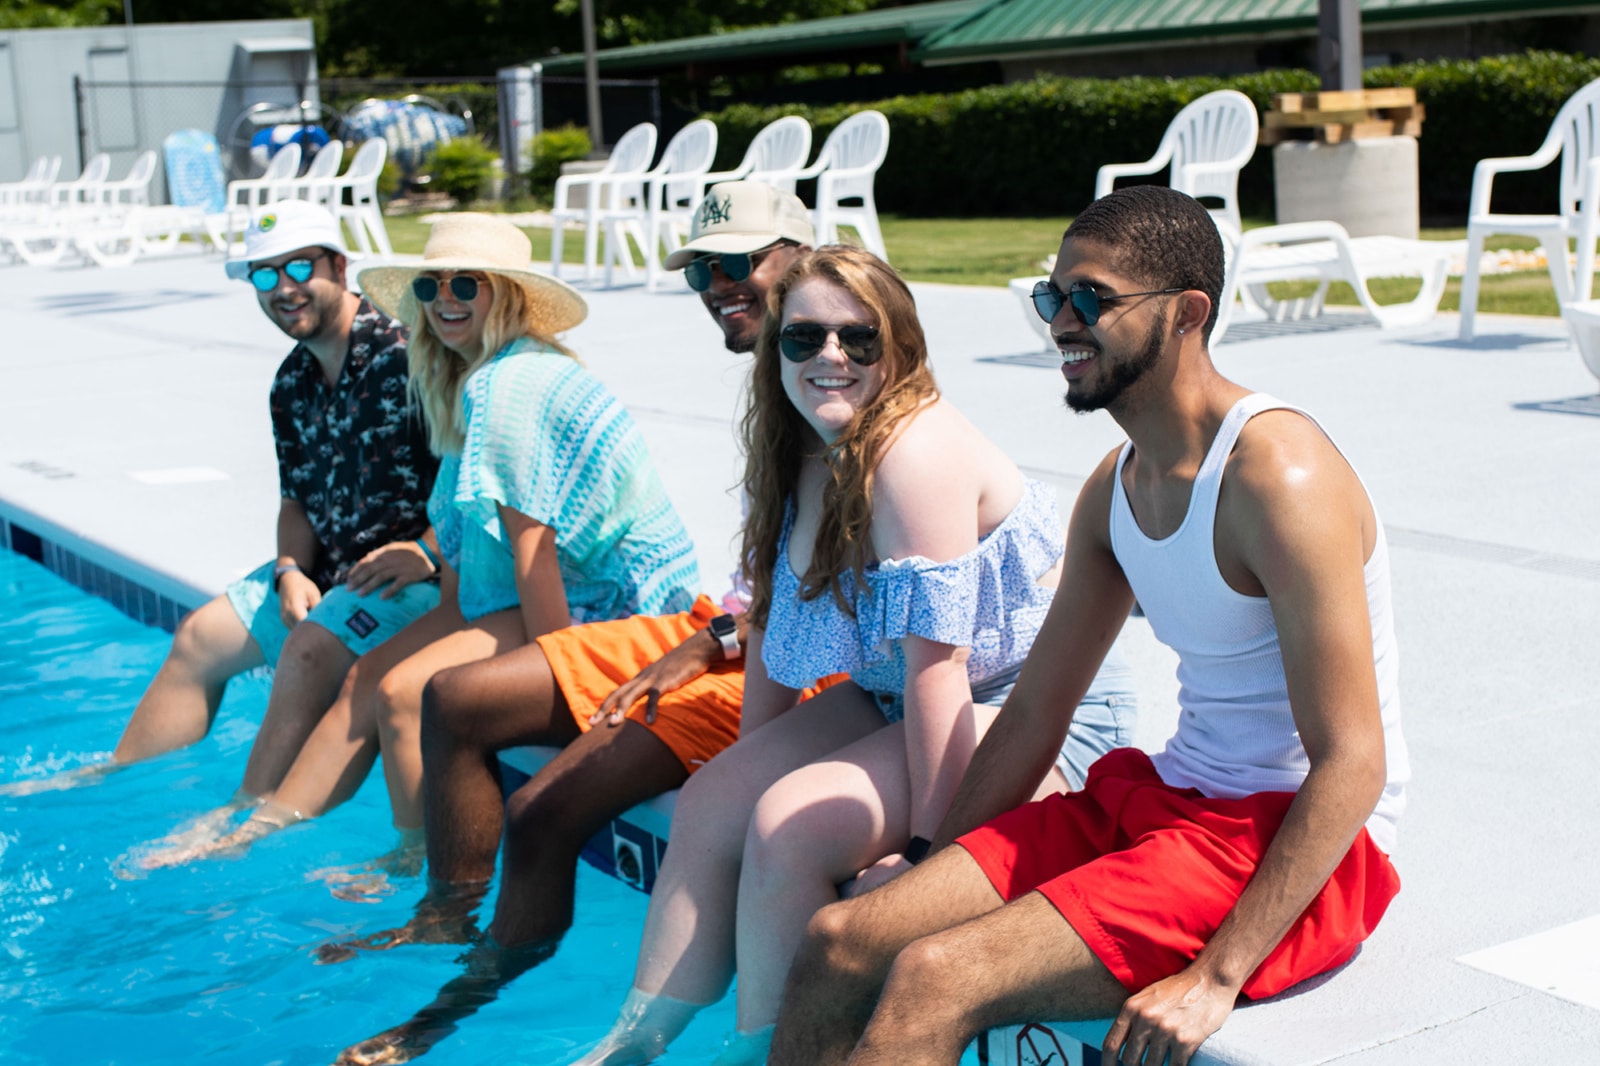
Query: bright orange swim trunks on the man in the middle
{"points": [[695, 721]]}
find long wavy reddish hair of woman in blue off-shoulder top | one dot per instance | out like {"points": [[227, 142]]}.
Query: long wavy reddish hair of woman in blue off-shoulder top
{"points": [[777, 438]]}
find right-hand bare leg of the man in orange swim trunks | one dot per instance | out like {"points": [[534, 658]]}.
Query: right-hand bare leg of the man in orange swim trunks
{"points": [[550, 819]]}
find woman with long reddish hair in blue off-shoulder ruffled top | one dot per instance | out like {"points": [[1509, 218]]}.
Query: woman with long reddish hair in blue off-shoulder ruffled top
{"points": [[887, 539]]}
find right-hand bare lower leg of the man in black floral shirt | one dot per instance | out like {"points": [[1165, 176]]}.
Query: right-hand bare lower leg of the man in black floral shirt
{"points": [[306, 683]]}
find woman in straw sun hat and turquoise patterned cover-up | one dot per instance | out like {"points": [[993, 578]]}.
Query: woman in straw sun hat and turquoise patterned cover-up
{"points": [[546, 507]]}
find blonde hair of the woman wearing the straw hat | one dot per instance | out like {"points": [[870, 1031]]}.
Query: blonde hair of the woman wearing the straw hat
{"points": [[439, 375]]}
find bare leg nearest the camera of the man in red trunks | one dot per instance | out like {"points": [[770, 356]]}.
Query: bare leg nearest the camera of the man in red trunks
{"points": [[1015, 964]]}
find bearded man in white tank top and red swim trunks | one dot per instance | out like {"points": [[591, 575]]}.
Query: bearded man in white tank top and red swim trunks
{"points": [[1250, 854]]}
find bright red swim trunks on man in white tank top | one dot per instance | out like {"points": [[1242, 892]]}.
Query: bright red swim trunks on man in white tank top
{"points": [[1145, 873]]}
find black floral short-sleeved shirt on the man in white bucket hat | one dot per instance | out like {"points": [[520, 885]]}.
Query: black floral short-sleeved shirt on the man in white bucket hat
{"points": [[354, 455]]}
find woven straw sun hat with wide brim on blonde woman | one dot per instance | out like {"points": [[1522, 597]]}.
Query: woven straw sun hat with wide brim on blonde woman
{"points": [[478, 242]]}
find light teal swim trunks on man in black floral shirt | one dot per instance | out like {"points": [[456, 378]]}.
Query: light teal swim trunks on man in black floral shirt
{"points": [[359, 622]]}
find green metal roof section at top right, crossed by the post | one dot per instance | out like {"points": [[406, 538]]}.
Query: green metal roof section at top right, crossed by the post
{"points": [[1012, 28]]}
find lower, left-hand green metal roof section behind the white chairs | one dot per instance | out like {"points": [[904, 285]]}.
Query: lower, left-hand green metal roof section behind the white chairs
{"points": [[844, 33]]}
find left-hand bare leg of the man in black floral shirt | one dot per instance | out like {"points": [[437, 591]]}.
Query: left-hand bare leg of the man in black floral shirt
{"points": [[210, 647]]}
